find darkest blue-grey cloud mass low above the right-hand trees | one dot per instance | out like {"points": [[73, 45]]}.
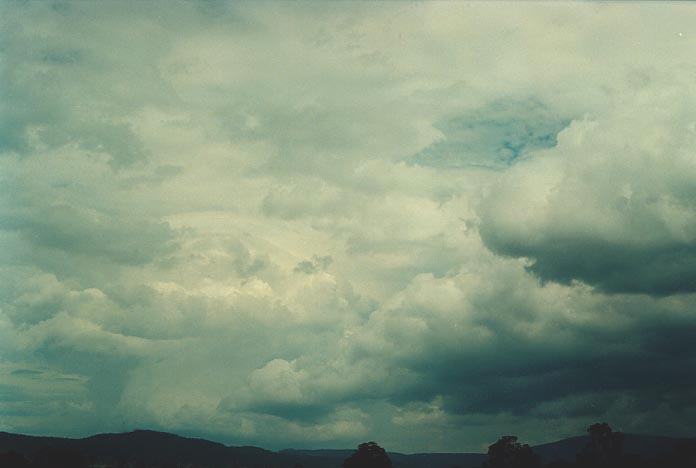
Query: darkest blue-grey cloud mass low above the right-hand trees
{"points": [[517, 358]]}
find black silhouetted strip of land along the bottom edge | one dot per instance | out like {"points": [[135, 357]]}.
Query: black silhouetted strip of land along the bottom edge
{"points": [[158, 449]]}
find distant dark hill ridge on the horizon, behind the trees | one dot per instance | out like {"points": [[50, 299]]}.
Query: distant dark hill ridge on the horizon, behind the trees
{"points": [[152, 448]]}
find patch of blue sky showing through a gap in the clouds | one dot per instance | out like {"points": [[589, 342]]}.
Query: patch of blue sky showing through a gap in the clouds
{"points": [[493, 136]]}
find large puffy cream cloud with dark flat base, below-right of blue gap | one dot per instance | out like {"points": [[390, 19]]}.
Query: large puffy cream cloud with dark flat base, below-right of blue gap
{"points": [[610, 205]]}
